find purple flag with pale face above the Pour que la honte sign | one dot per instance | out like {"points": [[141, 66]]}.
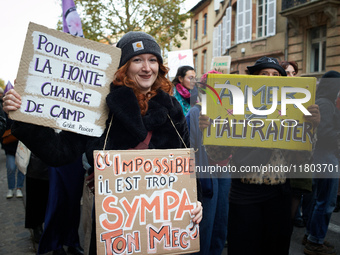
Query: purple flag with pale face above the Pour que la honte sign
{"points": [[71, 19]]}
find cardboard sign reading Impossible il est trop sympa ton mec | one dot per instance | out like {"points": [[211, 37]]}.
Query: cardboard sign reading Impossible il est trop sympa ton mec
{"points": [[143, 200]]}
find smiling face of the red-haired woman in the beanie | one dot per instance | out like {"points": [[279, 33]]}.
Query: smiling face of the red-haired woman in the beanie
{"points": [[143, 70]]}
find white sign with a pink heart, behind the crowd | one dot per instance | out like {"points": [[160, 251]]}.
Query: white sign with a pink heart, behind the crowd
{"points": [[179, 58]]}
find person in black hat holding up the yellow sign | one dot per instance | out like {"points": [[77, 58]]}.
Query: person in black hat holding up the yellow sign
{"points": [[260, 203]]}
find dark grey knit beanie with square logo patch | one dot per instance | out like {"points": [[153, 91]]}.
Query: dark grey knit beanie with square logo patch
{"points": [[136, 43]]}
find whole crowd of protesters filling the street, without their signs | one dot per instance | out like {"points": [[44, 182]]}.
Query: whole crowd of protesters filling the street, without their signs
{"points": [[251, 214]]}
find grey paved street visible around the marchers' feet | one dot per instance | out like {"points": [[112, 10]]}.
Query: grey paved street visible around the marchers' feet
{"points": [[16, 240]]}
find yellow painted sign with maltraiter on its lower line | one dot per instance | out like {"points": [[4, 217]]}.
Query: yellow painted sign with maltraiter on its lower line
{"points": [[259, 111]]}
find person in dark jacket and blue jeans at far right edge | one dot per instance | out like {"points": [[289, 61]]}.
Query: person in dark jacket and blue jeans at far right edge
{"points": [[325, 187]]}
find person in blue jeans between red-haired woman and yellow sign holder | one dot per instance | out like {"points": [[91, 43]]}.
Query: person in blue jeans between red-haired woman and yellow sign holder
{"points": [[214, 186]]}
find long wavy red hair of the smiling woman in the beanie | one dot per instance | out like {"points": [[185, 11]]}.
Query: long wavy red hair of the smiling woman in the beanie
{"points": [[161, 82]]}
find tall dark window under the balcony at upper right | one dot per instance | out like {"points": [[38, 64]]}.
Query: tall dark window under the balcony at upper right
{"points": [[317, 54]]}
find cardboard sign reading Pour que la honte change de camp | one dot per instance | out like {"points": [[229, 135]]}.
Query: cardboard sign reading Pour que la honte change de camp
{"points": [[63, 81]]}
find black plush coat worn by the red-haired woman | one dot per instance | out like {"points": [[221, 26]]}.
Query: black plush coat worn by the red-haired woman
{"points": [[128, 129]]}
